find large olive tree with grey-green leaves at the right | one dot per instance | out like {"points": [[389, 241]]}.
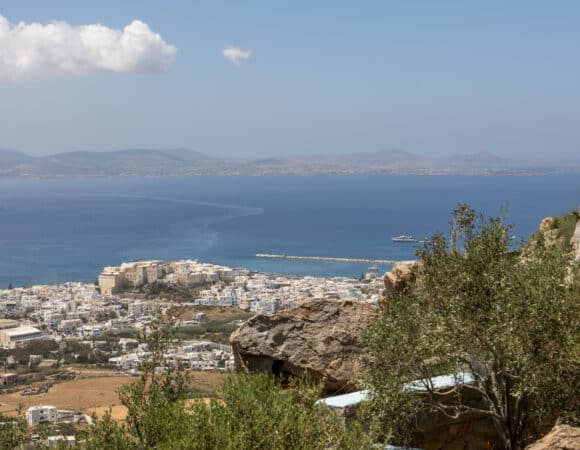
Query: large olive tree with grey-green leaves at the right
{"points": [[510, 322]]}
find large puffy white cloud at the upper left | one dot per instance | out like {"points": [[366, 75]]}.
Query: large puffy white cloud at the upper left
{"points": [[34, 50]]}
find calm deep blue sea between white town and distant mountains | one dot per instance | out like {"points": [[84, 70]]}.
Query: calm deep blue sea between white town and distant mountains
{"points": [[59, 230]]}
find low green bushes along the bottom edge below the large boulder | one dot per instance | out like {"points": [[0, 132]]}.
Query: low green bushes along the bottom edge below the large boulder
{"points": [[249, 412]]}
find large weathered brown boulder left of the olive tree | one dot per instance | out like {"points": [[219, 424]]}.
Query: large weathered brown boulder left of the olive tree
{"points": [[318, 337]]}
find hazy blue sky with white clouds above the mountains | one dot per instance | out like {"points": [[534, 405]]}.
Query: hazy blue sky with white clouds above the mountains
{"points": [[257, 79]]}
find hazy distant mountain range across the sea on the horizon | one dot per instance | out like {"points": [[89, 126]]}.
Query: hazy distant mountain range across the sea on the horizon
{"points": [[146, 162]]}
